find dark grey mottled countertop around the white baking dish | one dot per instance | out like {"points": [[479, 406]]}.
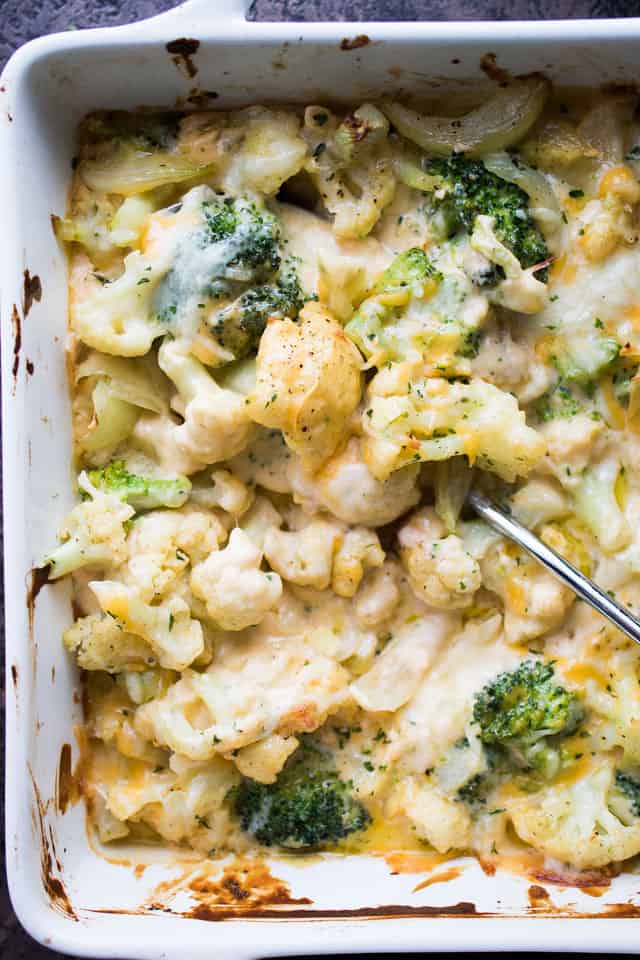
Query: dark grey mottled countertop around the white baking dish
{"points": [[21, 20]]}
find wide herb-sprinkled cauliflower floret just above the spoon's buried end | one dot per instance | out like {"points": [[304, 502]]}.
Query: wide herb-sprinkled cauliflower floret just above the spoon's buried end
{"points": [[407, 420]]}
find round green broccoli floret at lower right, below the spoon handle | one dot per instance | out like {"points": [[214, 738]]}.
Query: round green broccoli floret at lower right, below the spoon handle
{"points": [[519, 711]]}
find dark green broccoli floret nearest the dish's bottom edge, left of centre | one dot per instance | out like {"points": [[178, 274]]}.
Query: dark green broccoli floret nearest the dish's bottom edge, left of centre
{"points": [[308, 806]]}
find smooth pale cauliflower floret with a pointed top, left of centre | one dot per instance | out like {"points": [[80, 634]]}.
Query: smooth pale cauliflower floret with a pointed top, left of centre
{"points": [[236, 592]]}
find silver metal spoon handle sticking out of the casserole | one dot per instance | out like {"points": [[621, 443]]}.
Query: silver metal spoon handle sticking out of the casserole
{"points": [[559, 567]]}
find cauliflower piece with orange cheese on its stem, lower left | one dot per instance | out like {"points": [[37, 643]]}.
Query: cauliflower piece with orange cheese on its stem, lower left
{"points": [[174, 637]]}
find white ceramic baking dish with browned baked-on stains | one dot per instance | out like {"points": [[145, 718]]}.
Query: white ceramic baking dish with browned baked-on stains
{"points": [[66, 894]]}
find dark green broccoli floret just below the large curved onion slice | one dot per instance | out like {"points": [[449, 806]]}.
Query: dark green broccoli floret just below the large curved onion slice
{"points": [[473, 190]]}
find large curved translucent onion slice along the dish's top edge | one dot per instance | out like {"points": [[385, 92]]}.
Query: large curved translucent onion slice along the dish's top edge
{"points": [[499, 123]]}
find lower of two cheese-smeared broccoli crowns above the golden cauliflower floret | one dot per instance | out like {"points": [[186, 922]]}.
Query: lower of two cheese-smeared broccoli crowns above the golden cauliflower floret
{"points": [[239, 327]]}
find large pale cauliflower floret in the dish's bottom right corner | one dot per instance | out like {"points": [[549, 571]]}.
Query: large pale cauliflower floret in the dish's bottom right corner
{"points": [[572, 819]]}
